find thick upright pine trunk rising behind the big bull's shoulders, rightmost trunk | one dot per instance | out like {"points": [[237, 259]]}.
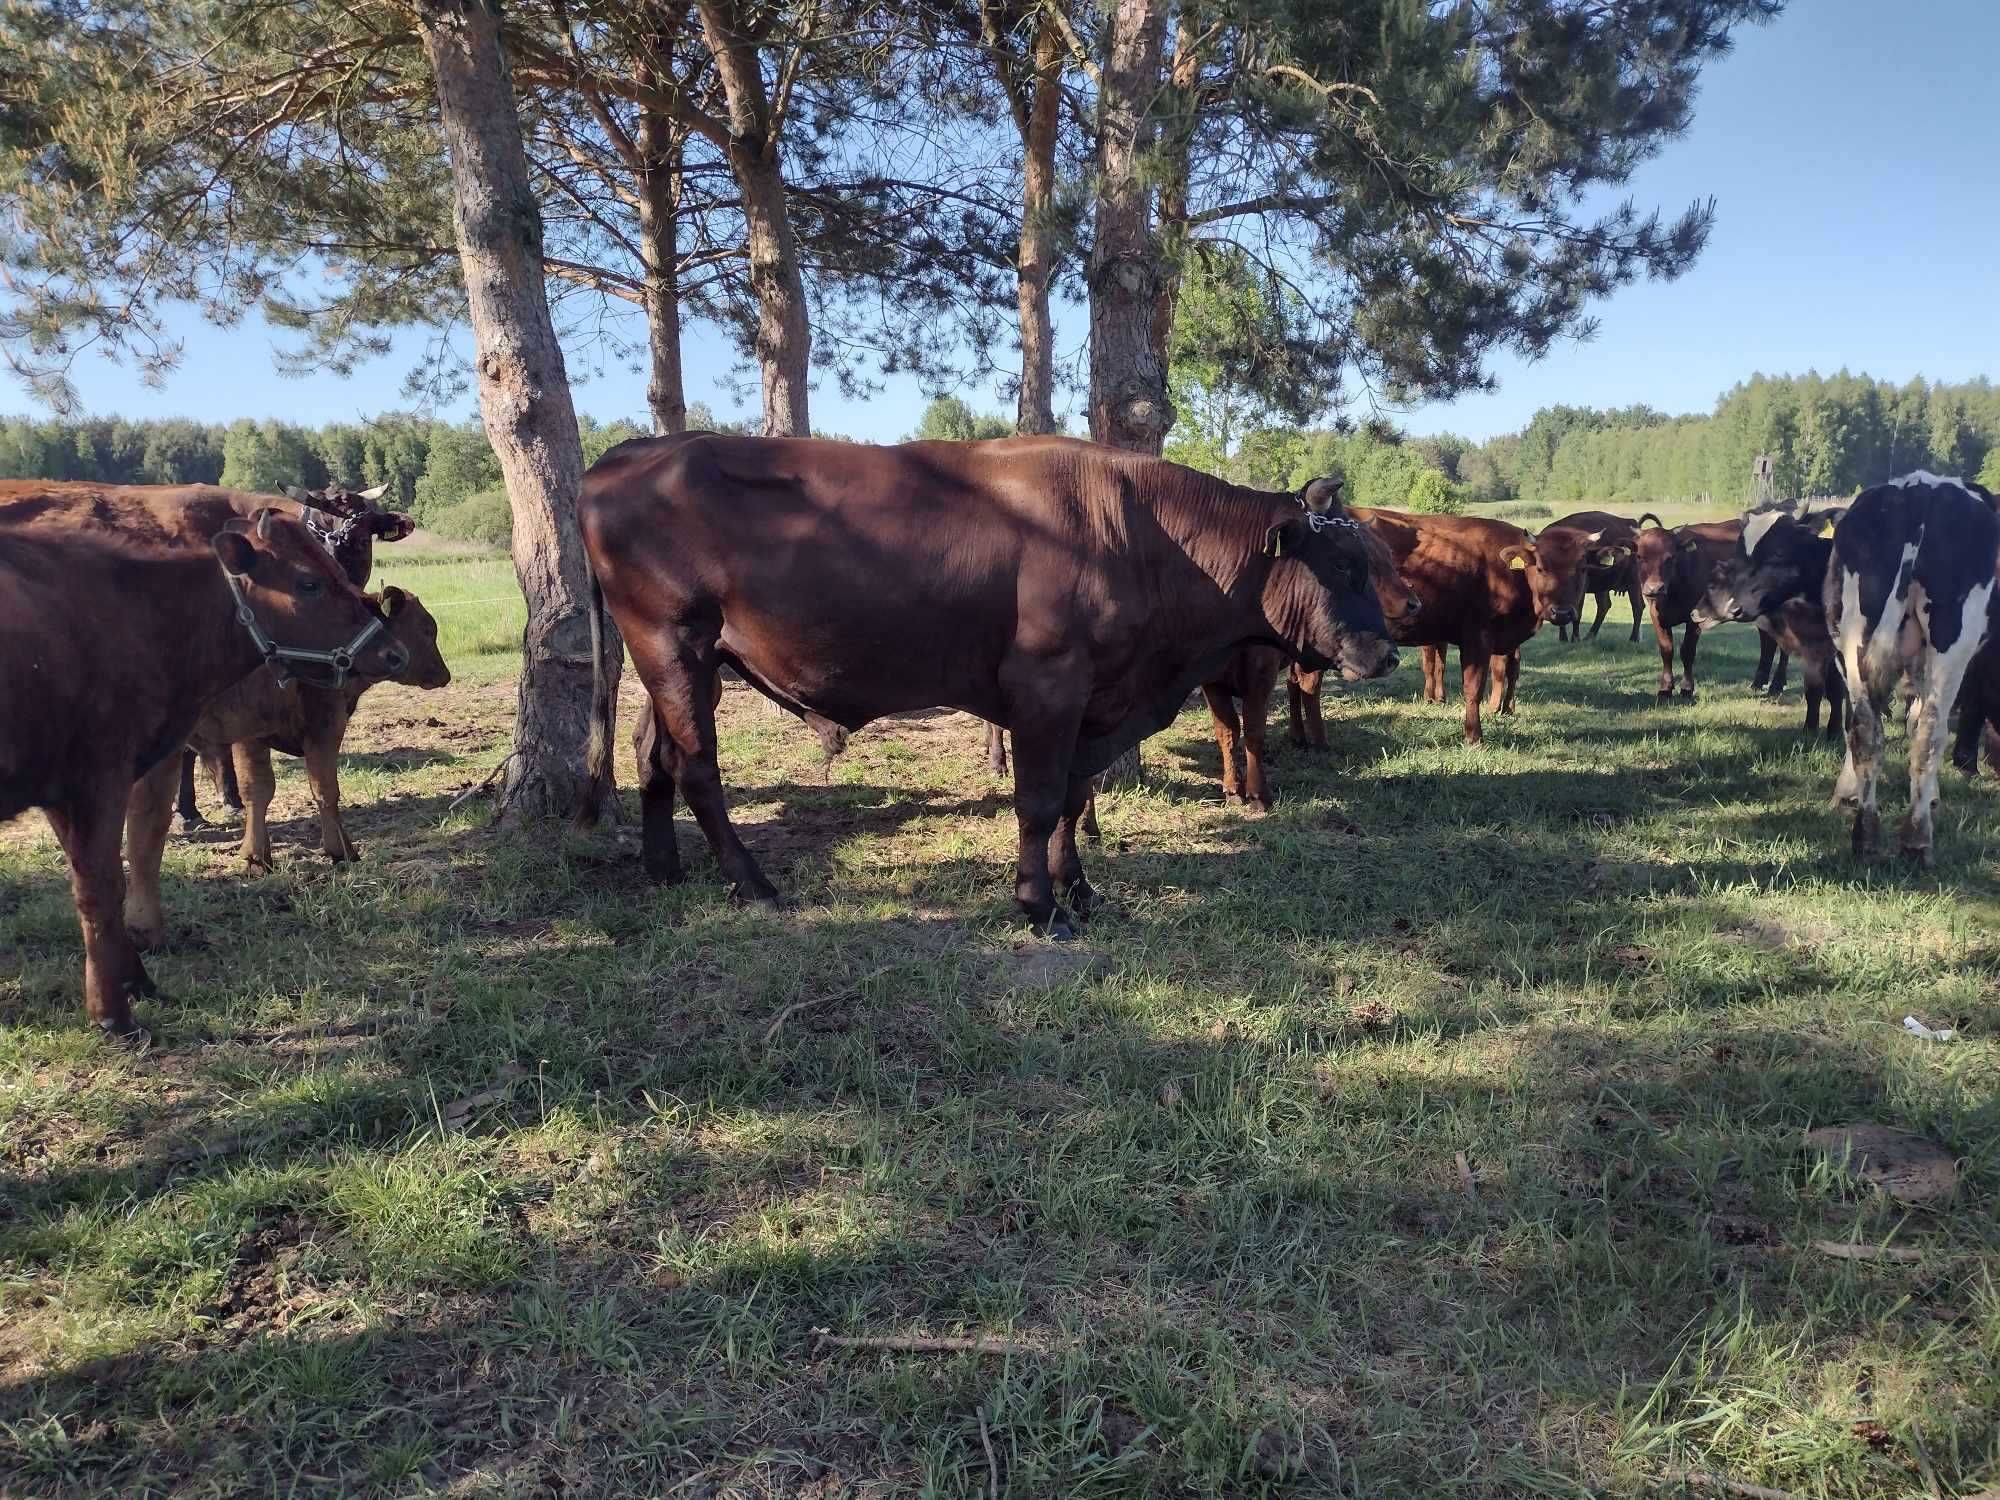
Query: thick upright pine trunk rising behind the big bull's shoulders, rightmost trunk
{"points": [[1129, 407]]}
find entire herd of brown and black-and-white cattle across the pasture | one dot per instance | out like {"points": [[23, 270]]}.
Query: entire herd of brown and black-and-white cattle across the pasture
{"points": [[1065, 593]]}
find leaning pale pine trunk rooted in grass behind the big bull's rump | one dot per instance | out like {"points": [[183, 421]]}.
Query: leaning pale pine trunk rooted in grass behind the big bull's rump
{"points": [[525, 401]]}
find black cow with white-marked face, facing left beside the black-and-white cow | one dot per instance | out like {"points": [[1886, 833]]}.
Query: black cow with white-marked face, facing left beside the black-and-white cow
{"points": [[1777, 577]]}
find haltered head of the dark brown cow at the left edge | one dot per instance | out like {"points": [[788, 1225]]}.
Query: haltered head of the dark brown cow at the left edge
{"points": [[299, 609]]}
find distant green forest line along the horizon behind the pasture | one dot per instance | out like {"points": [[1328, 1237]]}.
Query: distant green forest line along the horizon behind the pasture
{"points": [[1825, 437]]}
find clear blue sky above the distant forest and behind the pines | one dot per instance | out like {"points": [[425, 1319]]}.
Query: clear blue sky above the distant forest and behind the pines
{"points": [[1851, 153]]}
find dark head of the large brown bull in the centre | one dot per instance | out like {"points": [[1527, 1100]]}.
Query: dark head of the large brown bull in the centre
{"points": [[1319, 591]]}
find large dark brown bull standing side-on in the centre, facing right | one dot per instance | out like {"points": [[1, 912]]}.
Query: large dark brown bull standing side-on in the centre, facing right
{"points": [[1069, 593]]}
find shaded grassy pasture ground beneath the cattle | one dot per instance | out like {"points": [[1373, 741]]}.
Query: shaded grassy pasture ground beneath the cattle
{"points": [[1439, 1133]]}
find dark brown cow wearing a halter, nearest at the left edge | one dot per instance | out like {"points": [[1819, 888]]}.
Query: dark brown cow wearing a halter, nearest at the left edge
{"points": [[117, 639]]}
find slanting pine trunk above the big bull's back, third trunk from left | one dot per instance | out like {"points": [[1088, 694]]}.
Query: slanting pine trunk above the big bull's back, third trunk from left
{"points": [[783, 337]]}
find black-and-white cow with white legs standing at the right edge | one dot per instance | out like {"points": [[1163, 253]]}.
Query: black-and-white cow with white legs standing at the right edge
{"points": [[1907, 595]]}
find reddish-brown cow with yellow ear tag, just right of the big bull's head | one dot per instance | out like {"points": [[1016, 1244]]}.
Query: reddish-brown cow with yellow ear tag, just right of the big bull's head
{"points": [[1487, 587]]}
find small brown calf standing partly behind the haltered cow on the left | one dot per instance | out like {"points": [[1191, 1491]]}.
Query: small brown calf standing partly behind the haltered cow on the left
{"points": [[263, 715]]}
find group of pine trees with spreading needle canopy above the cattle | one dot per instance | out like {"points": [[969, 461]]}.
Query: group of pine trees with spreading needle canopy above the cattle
{"points": [[843, 189]]}
